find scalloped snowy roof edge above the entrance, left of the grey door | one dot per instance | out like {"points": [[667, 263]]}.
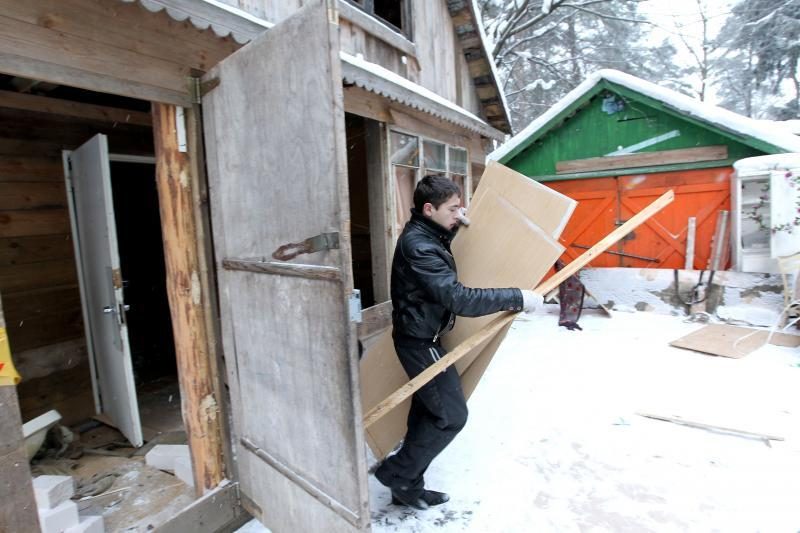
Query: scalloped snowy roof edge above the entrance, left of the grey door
{"points": [[223, 19]]}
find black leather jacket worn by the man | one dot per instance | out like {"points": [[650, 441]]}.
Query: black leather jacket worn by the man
{"points": [[426, 293]]}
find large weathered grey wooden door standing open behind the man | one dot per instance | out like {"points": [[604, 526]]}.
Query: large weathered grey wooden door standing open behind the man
{"points": [[274, 131]]}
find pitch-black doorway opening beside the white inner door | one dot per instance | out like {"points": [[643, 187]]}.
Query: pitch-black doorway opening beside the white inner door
{"points": [[141, 255]]}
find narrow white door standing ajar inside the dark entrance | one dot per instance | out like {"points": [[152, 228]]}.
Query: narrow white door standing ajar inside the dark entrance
{"points": [[92, 210]]}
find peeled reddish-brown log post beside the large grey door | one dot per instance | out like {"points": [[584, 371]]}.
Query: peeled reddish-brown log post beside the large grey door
{"points": [[197, 368]]}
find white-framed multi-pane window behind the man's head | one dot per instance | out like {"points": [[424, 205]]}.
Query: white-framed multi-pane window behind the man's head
{"points": [[413, 157]]}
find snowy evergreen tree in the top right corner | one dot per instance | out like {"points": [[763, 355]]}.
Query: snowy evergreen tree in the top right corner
{"points": [[762, 41]]}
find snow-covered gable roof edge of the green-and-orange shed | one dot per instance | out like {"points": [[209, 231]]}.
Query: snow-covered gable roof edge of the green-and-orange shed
{"points": [[711, 114]]}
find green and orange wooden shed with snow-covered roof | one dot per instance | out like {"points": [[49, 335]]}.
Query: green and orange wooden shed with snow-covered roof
{"points": [[616, 142]]}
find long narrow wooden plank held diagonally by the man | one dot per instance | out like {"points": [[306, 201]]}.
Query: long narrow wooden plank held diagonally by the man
{"points": [[503, 320]]}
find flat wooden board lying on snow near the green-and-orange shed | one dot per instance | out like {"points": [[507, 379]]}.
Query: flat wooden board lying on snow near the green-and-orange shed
{"points": [[732, 341]]}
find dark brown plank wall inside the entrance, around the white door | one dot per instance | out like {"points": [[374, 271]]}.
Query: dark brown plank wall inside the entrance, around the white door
{"points": [[38, 279]]}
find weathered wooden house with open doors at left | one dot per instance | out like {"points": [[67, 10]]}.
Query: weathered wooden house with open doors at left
{"points": [[207, 191]]}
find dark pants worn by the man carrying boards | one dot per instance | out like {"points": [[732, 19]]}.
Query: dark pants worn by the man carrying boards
{"points": [[438, 412]]}
